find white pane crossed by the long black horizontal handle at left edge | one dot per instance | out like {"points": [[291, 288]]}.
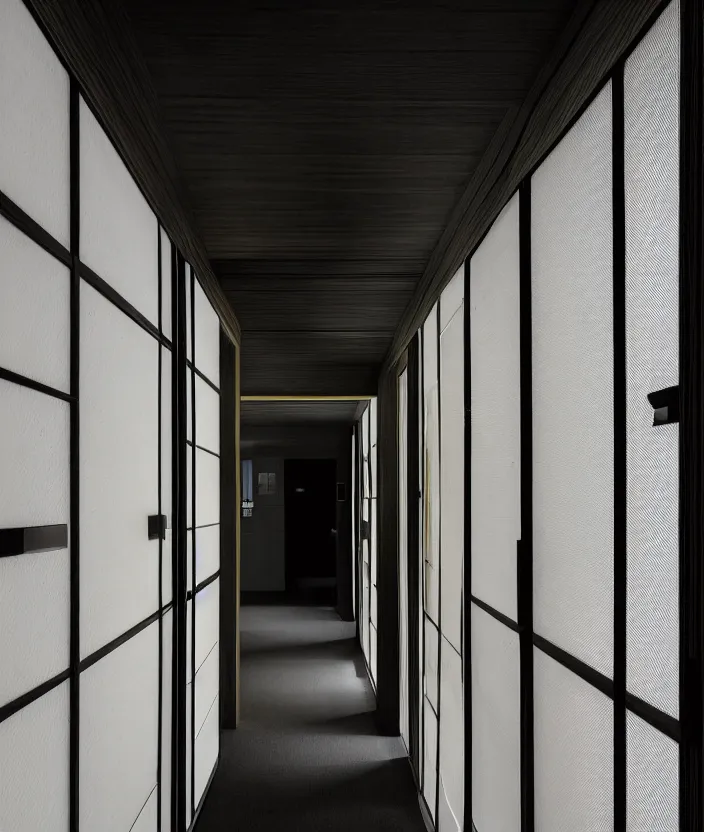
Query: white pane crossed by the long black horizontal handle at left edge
{"points": [[34, 448]]}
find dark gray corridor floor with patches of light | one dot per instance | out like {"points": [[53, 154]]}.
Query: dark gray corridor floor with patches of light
{"points": [[307, 756]]}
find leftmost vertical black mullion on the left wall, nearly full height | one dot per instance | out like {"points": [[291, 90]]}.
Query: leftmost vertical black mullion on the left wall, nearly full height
{"points": [[74, 495]]}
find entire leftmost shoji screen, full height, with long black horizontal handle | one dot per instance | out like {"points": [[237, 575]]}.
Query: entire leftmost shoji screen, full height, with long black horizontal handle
{"points": [[35, 439]]}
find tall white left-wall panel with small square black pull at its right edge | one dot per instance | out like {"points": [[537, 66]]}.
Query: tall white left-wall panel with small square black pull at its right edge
{"points": [[119, 385]]}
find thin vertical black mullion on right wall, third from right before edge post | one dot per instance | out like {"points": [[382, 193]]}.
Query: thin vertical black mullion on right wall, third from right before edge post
{"points": [[467, 562]]}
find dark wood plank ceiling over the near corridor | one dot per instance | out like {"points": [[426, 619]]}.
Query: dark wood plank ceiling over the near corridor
{"points": [[323, 146]]}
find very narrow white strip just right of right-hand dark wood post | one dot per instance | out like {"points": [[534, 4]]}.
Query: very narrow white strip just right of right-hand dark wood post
{"points": [[403, 552]]}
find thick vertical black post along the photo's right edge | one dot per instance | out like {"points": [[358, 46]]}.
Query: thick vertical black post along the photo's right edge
{"points": [[691, 310]]}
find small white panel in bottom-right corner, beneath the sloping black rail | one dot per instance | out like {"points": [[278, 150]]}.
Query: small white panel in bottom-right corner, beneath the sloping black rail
{"points": [[652, 779]]}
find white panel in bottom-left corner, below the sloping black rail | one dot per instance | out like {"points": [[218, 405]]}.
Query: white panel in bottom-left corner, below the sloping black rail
{"points": [[34, 760]]}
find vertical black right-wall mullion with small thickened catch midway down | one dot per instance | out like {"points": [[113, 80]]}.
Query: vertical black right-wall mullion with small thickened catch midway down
{"points": [[525, 547]]}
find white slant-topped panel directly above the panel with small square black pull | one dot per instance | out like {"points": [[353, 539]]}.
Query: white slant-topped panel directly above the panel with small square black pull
{"points": [[119, 232]]}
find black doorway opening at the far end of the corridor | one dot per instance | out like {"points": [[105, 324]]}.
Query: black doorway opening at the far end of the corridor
{"points": [[311, 529]]}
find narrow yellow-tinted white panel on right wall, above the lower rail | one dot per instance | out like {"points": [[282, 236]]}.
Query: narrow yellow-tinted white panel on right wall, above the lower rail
{"points": [[431, 468]]}
